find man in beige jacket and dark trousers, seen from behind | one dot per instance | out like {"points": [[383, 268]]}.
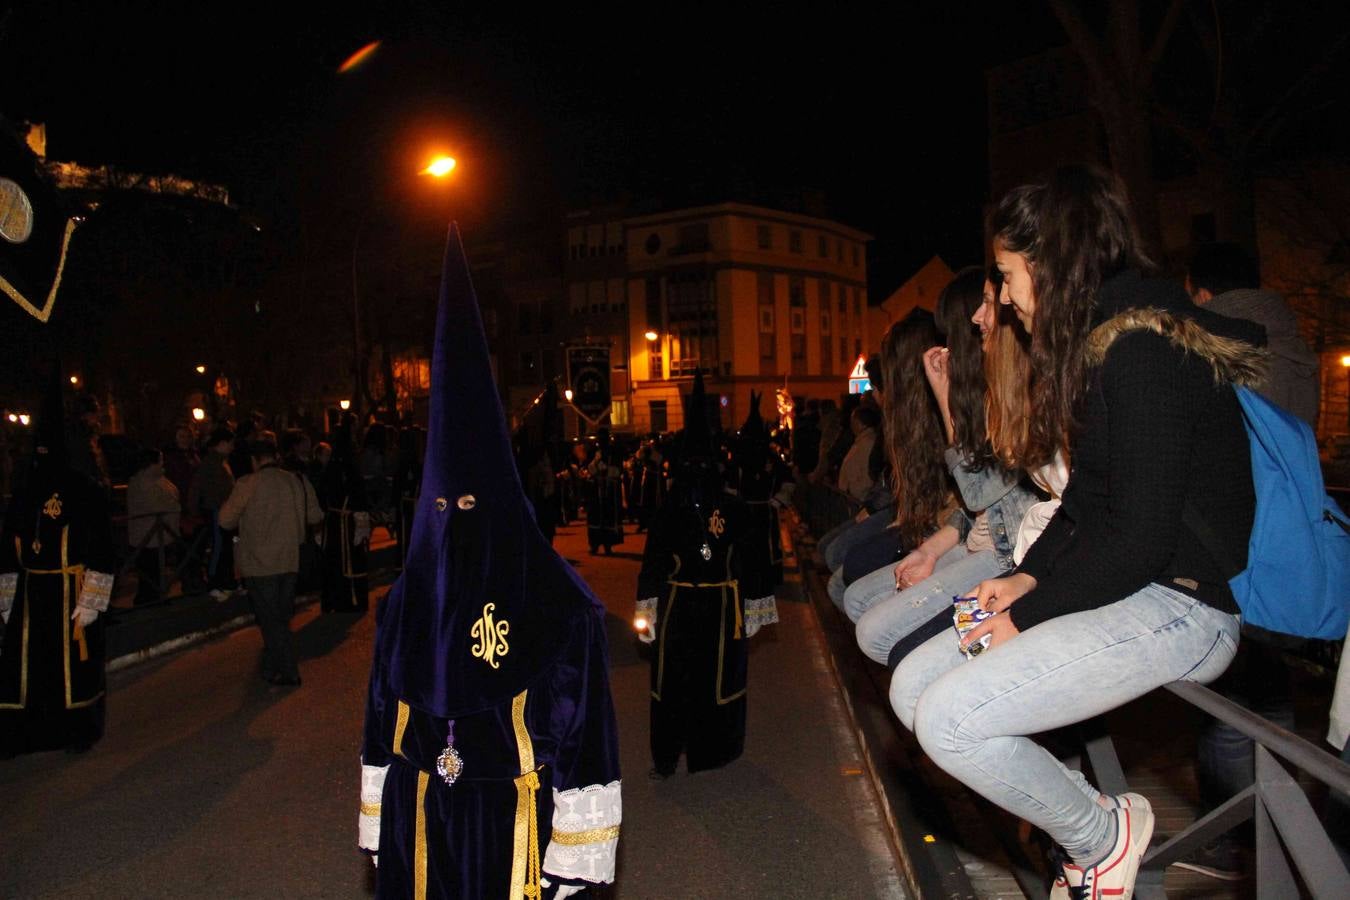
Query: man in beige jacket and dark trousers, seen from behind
{"points": [[272, 508]]}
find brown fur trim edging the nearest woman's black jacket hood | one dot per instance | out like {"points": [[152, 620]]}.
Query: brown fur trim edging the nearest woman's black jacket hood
{"points": [[1232, 360]]}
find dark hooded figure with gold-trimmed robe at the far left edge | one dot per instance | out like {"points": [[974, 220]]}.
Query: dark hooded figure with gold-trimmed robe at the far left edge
{"points": [[56, 578]]}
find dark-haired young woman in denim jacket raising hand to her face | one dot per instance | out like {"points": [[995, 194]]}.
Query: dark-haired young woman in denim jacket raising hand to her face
{"points": [[978, 543]]}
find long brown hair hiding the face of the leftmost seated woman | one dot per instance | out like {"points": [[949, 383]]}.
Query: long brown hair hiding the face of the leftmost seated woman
{"points": [[915, 434]]}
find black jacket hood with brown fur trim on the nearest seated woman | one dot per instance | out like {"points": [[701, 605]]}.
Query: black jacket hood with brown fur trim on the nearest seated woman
{"points": [[1129, 302]]}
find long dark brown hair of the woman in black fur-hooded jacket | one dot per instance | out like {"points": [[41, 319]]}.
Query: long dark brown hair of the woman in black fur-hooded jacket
{"points": [[1077, 231]]}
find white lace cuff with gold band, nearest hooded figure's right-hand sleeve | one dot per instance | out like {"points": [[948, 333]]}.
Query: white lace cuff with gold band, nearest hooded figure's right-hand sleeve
{"points": [[585, 841]]}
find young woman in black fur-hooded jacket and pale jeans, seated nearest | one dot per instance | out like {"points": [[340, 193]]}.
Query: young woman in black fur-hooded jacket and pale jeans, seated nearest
{"points": [[1117, 597]]}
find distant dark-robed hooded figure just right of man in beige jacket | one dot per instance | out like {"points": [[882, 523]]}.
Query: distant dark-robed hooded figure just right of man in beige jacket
{"points": [[346, 527]]}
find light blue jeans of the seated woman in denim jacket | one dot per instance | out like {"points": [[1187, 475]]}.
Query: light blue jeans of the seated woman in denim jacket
{"points": [[885, 616]]}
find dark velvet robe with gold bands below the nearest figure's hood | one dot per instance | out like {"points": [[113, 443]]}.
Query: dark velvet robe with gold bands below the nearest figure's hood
{"points": [[539, 793]]}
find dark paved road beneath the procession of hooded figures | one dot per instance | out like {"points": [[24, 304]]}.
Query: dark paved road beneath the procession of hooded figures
{"points": [[213, 785]]}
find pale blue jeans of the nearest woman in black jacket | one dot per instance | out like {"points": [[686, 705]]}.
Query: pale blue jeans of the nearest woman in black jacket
{"points": [[973, 716]]}
